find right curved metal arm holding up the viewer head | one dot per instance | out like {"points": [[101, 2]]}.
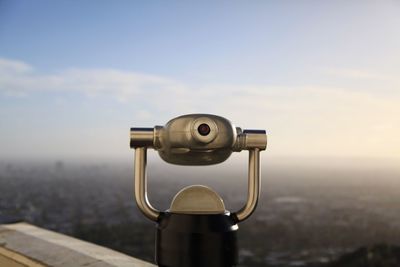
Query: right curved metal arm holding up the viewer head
{"points": [[253, 185]]}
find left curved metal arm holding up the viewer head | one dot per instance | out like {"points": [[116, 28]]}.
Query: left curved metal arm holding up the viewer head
{"points": [[141, 184]]}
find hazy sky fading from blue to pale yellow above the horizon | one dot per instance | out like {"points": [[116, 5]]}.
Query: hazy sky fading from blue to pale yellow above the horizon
{"points": [[323, 78]]}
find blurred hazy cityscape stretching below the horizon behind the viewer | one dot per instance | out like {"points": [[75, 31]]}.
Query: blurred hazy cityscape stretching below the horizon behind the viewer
{"points": [[306, 216]]}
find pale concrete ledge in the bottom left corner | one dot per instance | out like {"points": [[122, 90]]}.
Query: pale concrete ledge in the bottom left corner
{"points": [[23, 244]]}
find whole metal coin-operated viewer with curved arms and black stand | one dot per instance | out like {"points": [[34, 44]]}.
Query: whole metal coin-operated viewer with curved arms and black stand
{"points": [[197, 231]]}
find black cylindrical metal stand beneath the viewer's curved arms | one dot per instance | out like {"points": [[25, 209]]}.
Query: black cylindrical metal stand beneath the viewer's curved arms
{"points": [[196, 240]]}
